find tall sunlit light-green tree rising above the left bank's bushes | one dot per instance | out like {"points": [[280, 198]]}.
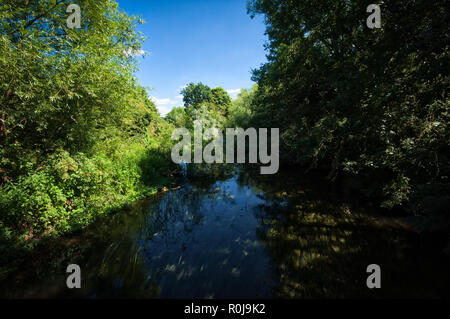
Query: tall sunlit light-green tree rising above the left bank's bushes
{"points": [[62, 87]]}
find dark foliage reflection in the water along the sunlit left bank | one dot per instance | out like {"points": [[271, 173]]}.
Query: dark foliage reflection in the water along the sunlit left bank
{"points": [[111, 264]]}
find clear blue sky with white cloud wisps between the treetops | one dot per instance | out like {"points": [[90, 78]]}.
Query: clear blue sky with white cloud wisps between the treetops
{"points": [[209, 41]]}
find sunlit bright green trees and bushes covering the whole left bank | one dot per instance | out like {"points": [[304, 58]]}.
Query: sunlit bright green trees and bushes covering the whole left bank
{"points": [[78, 135]]}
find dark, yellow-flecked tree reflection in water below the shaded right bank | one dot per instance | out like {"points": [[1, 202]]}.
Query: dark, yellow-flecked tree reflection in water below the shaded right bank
{"points": [[321, 248]]}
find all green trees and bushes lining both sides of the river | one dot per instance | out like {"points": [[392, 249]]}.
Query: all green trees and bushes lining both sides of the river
{"points": [[79, 136]]}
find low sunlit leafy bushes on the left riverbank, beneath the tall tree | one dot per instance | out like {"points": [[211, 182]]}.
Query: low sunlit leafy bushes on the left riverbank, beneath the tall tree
{"points": [[69, 193]]}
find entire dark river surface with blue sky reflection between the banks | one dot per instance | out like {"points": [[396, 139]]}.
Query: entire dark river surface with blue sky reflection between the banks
{"points": [[238, 235]]}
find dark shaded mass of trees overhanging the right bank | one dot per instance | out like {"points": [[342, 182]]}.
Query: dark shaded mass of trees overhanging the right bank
{"points": [[370, 105]]}
